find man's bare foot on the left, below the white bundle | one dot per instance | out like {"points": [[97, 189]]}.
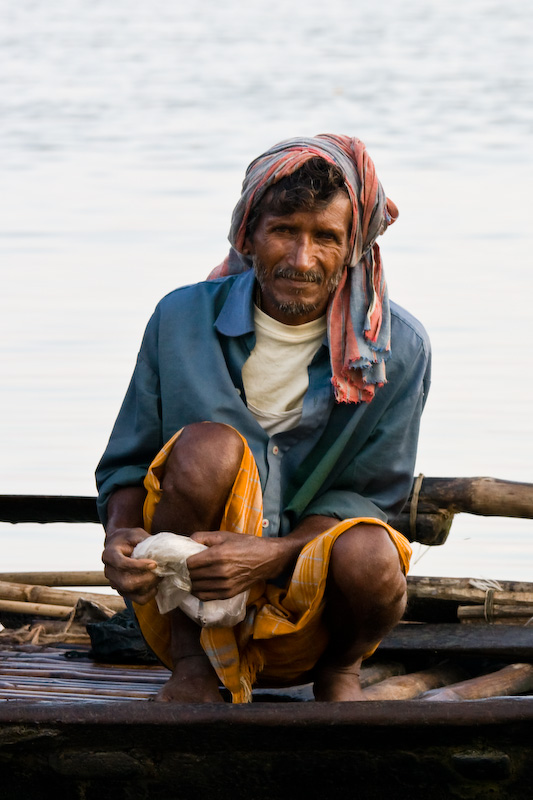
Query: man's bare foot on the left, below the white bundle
{"points": [[192, 681]]}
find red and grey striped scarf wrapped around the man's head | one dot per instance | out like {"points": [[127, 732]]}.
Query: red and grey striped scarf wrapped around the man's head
{"points": [[358, 310]]}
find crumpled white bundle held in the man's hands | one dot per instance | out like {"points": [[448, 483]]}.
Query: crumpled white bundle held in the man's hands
{"points": [[171, 552]]}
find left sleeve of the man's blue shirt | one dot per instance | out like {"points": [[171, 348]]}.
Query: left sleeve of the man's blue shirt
{"points": [[137, 434]]}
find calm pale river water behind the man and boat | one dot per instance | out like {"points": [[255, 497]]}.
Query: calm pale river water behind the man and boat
{"points": [[126, 128]]}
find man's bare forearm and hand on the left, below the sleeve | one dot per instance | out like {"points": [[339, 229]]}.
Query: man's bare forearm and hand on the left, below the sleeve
{"points": [[133, 578]]}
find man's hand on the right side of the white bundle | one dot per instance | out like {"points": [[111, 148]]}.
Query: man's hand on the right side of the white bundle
{"points": [[233, 562]]}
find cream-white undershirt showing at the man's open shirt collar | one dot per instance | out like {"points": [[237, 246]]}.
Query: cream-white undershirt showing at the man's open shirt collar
{"points": [[275, 375]]}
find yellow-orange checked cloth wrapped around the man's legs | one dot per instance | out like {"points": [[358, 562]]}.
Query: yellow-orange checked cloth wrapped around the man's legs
{"points": [[282, 635]]}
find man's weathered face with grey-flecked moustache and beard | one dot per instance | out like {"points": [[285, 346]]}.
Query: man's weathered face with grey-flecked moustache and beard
{"points": [[299, 259]]}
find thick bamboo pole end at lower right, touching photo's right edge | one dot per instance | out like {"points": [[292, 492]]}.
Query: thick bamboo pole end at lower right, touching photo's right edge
{"points": [[513, 679]]}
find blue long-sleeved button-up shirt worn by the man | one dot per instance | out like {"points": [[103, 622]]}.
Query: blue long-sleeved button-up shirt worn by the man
{"points": [[341, 460]]}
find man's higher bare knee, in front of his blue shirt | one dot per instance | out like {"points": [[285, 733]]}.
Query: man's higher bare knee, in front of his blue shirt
{"points": [[205, 454]]}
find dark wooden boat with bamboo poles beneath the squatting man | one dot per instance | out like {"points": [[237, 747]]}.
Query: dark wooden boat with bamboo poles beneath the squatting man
{"points": [[451, 690]]}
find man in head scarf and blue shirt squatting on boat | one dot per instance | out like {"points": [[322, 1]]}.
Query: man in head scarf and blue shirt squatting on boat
{"points": [[280, 398]]}
